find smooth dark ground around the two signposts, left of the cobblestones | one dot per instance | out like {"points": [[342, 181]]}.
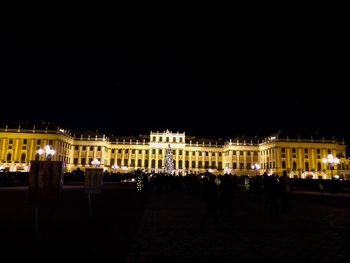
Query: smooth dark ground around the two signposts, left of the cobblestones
{"points": [[66, 232]]}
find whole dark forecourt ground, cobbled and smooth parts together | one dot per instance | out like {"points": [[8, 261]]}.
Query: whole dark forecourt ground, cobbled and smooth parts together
{"points": [[129, 226]]}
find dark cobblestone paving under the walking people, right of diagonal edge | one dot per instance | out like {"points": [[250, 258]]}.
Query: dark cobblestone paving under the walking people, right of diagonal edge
{"points": [[316, 229]]}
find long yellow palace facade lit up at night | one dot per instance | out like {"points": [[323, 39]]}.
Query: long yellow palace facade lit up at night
{"points": [[301, 157]]}
